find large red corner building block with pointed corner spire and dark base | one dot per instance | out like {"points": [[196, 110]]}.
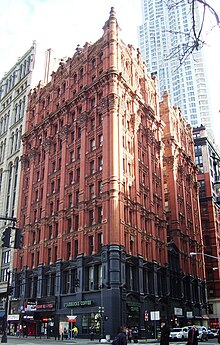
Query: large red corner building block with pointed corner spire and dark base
{"points": [[91, 196]]}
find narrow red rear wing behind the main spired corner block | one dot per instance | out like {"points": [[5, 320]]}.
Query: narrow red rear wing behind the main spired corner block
{"points": [[183, 216]]}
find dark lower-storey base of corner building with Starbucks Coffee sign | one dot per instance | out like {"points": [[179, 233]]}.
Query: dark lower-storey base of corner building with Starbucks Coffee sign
{"points": [[127, 289]]}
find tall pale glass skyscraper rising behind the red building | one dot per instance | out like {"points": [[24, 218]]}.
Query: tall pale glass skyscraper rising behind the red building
{"points": [[163, 37]]}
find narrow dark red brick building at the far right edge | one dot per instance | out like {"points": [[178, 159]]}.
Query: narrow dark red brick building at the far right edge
{"points": [[208, 160]]}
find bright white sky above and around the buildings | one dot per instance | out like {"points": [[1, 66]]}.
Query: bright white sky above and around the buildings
{"points": [[63, 24]]}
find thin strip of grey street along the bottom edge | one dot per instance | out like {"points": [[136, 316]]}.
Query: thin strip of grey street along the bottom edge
{"points": [[79, 341]]}
